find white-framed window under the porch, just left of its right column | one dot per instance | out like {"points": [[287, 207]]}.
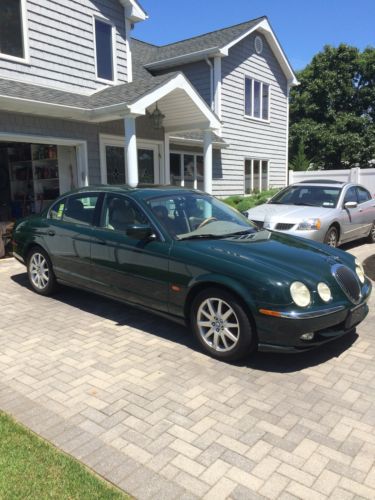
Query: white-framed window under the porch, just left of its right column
{"points": [[186, 169]]}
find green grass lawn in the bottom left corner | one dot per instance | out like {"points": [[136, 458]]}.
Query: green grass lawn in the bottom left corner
{"points": [[30, 468]]}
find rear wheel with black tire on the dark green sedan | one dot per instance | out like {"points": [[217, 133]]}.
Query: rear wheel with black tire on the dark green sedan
{"points": [[40, 272]]}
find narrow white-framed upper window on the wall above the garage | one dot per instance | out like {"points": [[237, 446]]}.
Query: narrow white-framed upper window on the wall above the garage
{"points": [[104, 50]]}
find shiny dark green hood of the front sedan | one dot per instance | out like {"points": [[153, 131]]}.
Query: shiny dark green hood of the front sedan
{"points": [[278, 253]]}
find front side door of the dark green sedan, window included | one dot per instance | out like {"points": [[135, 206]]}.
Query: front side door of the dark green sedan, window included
{"points": [[135, 270]]}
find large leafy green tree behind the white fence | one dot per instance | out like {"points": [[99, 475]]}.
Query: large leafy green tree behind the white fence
{"points": [[332, 111]]}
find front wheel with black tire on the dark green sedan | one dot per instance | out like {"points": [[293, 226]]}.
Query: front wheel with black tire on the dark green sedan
{"points": [[222, 325]]}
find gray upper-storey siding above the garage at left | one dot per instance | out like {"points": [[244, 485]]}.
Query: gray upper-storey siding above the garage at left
{"points": [[61, 44]]}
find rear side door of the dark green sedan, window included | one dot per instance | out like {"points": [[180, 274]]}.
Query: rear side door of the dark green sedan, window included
{"points": [[68, 237]]}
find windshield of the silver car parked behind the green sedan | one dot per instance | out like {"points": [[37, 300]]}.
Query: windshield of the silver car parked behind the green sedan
{"points": [[310, 196]]}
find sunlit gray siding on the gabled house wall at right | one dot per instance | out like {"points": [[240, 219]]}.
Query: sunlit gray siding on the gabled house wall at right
{"points": [[249, 138]]}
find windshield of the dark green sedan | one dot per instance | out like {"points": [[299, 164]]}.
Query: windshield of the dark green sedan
{"points": [[197, 216]]}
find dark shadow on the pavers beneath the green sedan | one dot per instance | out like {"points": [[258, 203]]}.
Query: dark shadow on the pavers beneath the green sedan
{"points": [[123, 314]]}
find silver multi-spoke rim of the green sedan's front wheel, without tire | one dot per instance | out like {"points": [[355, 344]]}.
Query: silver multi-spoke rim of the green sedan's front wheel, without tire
{"points": [[218, 324]]}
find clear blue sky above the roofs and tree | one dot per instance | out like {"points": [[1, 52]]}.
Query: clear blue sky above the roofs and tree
{"points": [[303, 27]]}
